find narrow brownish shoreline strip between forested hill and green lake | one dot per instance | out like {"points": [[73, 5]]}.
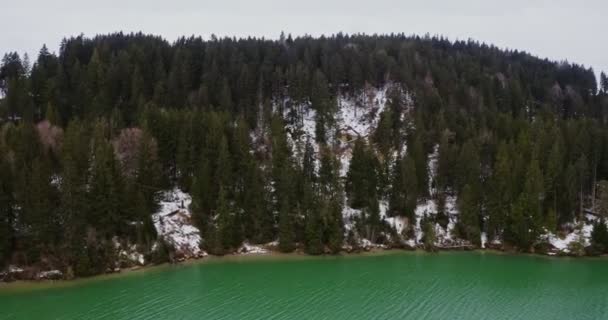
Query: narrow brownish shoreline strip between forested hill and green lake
{"points": [[24, 285]]}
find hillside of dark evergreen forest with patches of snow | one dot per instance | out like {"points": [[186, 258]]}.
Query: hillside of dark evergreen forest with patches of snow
{"points": [[321, 144]]}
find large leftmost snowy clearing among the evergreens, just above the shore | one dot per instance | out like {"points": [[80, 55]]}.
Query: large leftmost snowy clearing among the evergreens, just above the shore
{"points": [[173, 221]]}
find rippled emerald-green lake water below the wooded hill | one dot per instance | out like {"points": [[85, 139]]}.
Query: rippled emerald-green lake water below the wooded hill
{"points": [[464, 286]]}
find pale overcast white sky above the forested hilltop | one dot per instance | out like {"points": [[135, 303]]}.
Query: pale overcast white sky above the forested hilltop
{"points": [[558, 29]]}
